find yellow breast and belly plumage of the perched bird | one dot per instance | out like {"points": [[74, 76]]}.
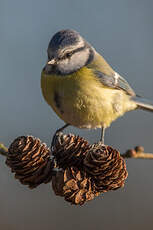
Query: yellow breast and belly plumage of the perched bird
{"points": [[82, 101]]}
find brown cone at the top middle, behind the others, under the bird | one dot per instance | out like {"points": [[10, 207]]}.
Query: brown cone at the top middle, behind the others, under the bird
{"points": [[70, 150]]}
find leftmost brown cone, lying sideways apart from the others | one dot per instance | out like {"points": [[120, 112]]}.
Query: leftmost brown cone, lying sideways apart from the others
{"points": [[30, 160]]}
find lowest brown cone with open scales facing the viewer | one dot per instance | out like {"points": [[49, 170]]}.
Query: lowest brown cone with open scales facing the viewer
{"points": [[75, 185]]}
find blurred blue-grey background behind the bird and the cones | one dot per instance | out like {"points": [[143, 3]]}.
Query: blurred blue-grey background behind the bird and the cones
{"points": [[122, 31]]}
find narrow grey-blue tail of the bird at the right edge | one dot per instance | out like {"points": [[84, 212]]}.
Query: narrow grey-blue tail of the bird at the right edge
{"points": [[143, 104]]}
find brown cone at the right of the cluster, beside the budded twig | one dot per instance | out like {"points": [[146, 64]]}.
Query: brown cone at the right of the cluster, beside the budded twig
{"points": [[106, 166]]}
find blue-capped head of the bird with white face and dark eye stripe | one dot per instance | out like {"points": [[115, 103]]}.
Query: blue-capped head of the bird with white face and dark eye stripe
{"points": [[67, 53]]}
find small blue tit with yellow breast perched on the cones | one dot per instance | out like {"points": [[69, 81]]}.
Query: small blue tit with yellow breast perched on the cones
{"points": [[82, 88]]}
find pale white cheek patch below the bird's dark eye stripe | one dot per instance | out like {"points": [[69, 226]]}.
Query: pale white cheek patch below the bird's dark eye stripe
{"points": [[76, 61]]}
